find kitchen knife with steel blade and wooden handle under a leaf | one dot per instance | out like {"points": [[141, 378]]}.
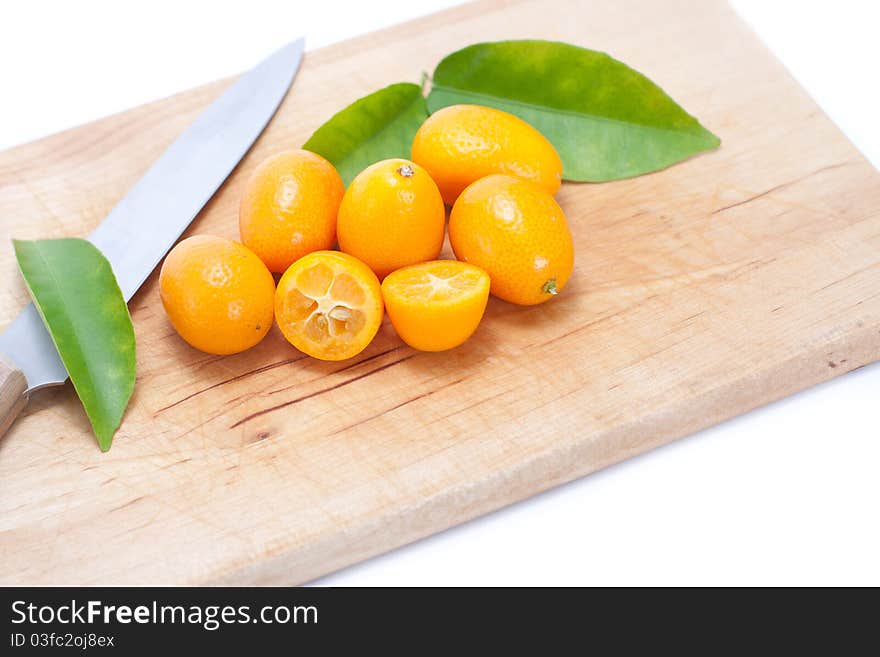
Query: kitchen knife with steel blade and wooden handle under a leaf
{"points": [[151, 217]]}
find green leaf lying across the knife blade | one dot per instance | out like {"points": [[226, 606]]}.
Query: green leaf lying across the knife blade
{"points": [[76, 294]]}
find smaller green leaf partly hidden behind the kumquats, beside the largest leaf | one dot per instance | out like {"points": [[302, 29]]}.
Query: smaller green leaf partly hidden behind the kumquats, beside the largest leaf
{"points": [[376, 127]]}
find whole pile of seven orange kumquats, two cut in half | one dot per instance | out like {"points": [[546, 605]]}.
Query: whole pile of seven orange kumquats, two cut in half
{"points": [[509, 235]]}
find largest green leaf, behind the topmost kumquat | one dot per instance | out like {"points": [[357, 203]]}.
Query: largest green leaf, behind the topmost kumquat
{"points": [[606, 120]]}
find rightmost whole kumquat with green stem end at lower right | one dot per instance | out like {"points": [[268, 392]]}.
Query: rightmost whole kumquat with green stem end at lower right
{"points": [[517, 232]]}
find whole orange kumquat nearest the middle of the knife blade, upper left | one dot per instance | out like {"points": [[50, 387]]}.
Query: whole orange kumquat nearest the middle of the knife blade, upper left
{"points": [[289, 207]]}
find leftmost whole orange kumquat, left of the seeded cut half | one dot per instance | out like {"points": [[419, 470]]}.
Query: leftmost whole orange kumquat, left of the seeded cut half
{"points": [[217, 294]]}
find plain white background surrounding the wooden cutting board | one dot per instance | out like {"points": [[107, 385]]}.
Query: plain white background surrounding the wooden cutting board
{"points": [[785, 495]]}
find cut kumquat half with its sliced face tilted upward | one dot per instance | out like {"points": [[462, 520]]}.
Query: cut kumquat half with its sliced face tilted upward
{"points": [[436, 305]]}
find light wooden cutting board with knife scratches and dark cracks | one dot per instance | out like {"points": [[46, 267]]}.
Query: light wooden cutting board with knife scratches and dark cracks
{"points": [[700, 292]]}
